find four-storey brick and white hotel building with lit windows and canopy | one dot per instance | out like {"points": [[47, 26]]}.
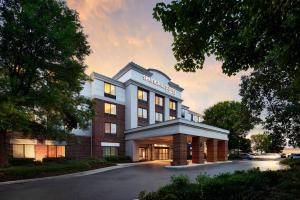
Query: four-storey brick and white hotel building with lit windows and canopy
{"points": [[139, 113]]}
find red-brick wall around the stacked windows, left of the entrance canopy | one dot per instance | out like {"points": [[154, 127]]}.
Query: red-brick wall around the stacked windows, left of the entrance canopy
{"points": [[98, 129]]}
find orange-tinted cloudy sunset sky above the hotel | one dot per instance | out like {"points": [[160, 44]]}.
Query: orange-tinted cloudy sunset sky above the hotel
{"points": [[120, 31]]}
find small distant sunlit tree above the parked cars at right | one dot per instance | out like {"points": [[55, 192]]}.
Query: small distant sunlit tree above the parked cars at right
{"points": [[261, 142]]}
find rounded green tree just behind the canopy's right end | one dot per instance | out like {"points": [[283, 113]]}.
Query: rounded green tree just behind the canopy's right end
{"points": [[230, 115]]}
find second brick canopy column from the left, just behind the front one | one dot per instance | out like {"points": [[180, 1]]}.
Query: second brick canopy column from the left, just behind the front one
{"points": [[197, 149]]}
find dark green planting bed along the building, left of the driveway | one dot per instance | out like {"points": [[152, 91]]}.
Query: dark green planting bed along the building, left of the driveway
{"points": [[50, 168]]}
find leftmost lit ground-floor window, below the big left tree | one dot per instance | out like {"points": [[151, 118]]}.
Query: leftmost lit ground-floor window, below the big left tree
{"points": [[23, 151]]}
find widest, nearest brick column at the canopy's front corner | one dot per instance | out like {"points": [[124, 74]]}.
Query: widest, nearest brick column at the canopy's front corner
{"points": [[179, 149]]}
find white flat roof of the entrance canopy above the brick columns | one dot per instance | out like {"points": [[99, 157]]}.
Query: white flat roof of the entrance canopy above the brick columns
{"points": [[176, 126]]}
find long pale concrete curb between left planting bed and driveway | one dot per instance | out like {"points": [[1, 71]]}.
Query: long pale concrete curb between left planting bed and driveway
{"points": [[77, 174]]}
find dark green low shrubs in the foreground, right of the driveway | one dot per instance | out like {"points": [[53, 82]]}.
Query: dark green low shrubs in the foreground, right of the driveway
{"points": [[245, 185]]}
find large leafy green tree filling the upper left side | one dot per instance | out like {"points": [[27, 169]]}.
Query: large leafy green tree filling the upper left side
{"points": [[42, 51]]}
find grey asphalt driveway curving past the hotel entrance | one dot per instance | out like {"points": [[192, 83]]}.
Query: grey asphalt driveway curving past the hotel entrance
{"points": [[119, 184]]}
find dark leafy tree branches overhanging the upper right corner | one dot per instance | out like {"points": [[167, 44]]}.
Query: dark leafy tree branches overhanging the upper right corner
{"points": [[262, 36]]}
